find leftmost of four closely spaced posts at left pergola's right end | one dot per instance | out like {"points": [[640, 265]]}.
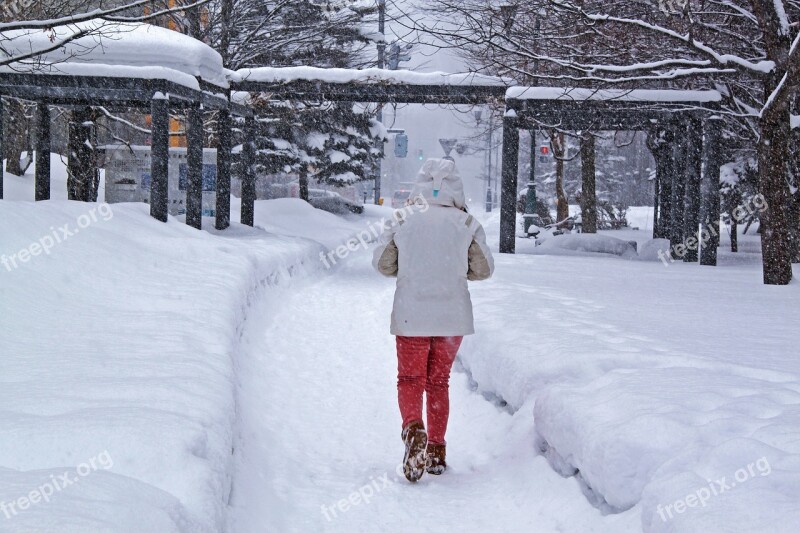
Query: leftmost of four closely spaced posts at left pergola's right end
{"points": [[159, 158]]}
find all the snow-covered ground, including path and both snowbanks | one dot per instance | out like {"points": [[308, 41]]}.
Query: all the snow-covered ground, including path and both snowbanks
{"points": [[157, 378]]}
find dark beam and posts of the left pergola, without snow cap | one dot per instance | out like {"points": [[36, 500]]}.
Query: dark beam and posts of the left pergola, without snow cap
{"points": [[159, 95]]}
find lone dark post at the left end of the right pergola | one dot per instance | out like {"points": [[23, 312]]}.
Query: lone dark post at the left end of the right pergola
{"points": [[508, 187]]}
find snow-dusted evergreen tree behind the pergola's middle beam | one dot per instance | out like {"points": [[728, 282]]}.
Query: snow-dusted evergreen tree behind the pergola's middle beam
{"points": [[332, 142]]}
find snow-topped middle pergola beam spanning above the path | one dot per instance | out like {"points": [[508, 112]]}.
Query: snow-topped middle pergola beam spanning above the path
{"points": [[370, 85]]}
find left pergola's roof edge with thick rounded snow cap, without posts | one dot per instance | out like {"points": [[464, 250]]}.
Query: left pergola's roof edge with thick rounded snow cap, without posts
{"points": [[113, 64]]}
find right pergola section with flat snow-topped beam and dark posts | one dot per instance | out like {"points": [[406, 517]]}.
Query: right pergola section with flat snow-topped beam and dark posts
{"points": [[689, 199]]}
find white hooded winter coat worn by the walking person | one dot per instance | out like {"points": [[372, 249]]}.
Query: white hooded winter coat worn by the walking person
{"points": [[434, 250]]}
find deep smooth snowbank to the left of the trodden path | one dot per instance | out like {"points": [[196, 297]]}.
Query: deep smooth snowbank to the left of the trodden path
{"points": [[119, 344]]}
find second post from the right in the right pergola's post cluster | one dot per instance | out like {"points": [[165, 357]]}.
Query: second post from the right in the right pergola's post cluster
{"points": [[694, 166]]}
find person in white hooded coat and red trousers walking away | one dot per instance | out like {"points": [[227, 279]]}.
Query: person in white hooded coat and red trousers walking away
{"points": [[433, 253]]}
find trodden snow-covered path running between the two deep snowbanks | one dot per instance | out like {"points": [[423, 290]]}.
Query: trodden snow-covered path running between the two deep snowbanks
{"points": [[319, 430]]}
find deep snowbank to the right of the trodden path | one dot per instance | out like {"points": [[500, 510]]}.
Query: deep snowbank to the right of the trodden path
{"points": [[652, 382]]}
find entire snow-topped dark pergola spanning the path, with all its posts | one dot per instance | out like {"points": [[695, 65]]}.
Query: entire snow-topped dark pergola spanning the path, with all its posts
{"points": [[148, 67]]}
